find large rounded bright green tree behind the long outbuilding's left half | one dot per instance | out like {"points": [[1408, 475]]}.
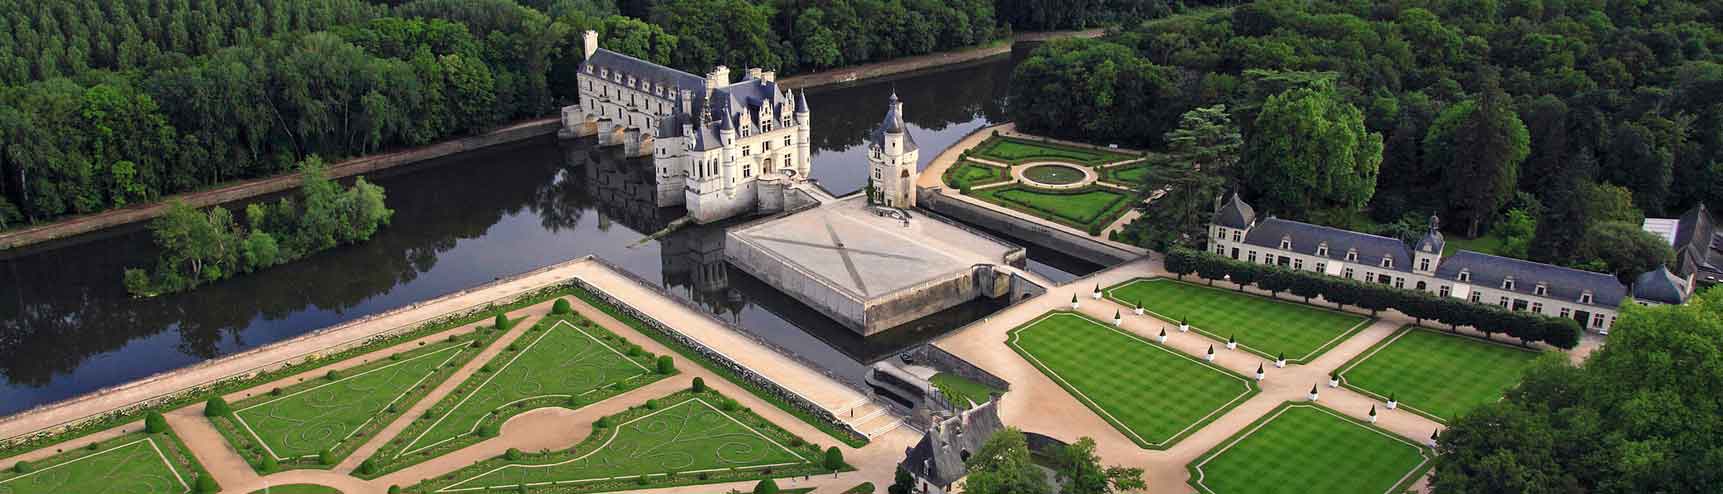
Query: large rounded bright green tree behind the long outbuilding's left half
{"points": [[1310, 152]]}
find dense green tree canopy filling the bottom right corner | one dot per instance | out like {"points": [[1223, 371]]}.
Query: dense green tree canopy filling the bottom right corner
{"points": [[1641, 416]]}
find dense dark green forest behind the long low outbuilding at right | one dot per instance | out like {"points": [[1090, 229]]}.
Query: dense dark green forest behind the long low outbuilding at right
{"points": [[1546, 130]]}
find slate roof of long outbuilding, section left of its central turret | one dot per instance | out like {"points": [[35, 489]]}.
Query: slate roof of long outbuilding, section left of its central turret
{"points": [[1309, 238]]}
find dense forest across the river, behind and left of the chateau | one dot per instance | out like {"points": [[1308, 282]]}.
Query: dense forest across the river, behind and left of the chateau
{"points": [[111, 104]]}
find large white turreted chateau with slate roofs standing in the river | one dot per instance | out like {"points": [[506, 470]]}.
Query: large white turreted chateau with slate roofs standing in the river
{"points": [[719, 149]]}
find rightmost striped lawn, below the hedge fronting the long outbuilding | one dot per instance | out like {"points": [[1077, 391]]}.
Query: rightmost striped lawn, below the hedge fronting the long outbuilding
{"points": [[1438, 374]]}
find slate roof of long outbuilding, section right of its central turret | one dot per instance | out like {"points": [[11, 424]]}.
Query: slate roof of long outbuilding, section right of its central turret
{"points": [[1490, 271]]}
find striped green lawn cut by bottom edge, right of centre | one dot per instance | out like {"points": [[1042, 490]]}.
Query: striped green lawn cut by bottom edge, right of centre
{"points": [[1307, 448]]}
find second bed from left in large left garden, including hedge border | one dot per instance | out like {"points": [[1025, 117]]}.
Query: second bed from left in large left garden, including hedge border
{"points": [[318, 423]]}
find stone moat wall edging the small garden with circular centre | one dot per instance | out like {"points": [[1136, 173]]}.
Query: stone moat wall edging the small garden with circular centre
{"points": [[1026, 232]]}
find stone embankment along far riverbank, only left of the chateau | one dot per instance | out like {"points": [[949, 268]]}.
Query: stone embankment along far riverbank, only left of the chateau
{"points": [[273, 185]]}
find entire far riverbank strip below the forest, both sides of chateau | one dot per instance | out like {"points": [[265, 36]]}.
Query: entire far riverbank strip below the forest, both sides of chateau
{"points": [[518, 132]]}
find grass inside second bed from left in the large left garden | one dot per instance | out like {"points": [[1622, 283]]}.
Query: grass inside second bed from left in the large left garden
{"points": [[327, 414]]}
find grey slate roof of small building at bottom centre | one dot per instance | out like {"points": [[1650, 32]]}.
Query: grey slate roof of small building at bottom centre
{"points": [[940, 455]]}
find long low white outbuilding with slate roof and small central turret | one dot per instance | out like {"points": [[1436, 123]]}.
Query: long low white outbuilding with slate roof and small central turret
{"points": [[1586, 297]]}
